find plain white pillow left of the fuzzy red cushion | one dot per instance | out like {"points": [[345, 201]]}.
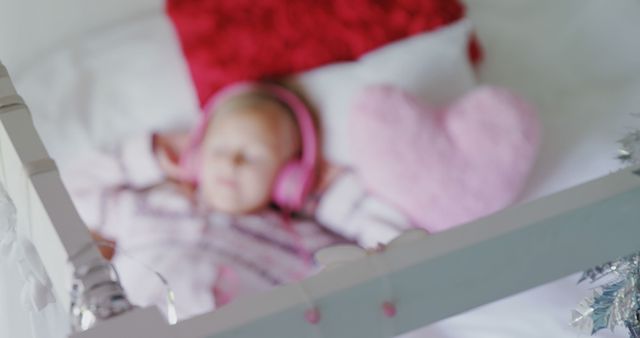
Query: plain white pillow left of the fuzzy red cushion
{"points": [[113, 84]]}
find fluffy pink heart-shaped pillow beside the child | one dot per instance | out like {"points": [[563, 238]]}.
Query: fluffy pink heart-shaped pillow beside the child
{"points": [[443, 167]]}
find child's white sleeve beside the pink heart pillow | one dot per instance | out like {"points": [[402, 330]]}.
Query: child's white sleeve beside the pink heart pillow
{"points": [[349, 210]]}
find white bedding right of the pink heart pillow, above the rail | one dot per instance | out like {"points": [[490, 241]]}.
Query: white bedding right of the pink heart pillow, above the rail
{"points": [[578, 61]]}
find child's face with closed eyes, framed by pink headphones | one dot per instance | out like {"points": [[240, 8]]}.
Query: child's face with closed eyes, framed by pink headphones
{"points": [[242, 153]]}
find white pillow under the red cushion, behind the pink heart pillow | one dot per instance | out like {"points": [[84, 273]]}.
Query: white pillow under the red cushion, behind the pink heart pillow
{"points": [[433, 66]]}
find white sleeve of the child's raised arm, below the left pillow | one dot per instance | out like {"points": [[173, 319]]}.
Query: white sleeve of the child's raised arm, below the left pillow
{"points": [[91, 178]]}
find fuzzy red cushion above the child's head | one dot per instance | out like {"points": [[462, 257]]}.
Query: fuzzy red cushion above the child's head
{"points": [[232, 40]]}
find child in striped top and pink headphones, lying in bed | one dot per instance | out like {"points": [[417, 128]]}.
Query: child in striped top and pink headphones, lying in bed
{"points": [[210, 210]]}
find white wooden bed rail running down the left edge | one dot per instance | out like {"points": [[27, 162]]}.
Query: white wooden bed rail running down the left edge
{"points": [[46, 214]]}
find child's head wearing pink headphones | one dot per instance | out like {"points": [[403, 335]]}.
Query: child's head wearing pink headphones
{"points": [[256, 144]]}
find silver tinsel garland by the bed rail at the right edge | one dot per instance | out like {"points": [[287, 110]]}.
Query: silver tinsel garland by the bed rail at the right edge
{"points": [[616, 302]]}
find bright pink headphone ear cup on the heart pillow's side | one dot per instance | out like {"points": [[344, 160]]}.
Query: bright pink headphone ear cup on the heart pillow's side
{"points": [[293, 185]]}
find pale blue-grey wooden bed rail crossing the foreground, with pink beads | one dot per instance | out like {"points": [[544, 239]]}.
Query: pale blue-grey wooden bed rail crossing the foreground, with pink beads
{"points": [[442, 275]]}
